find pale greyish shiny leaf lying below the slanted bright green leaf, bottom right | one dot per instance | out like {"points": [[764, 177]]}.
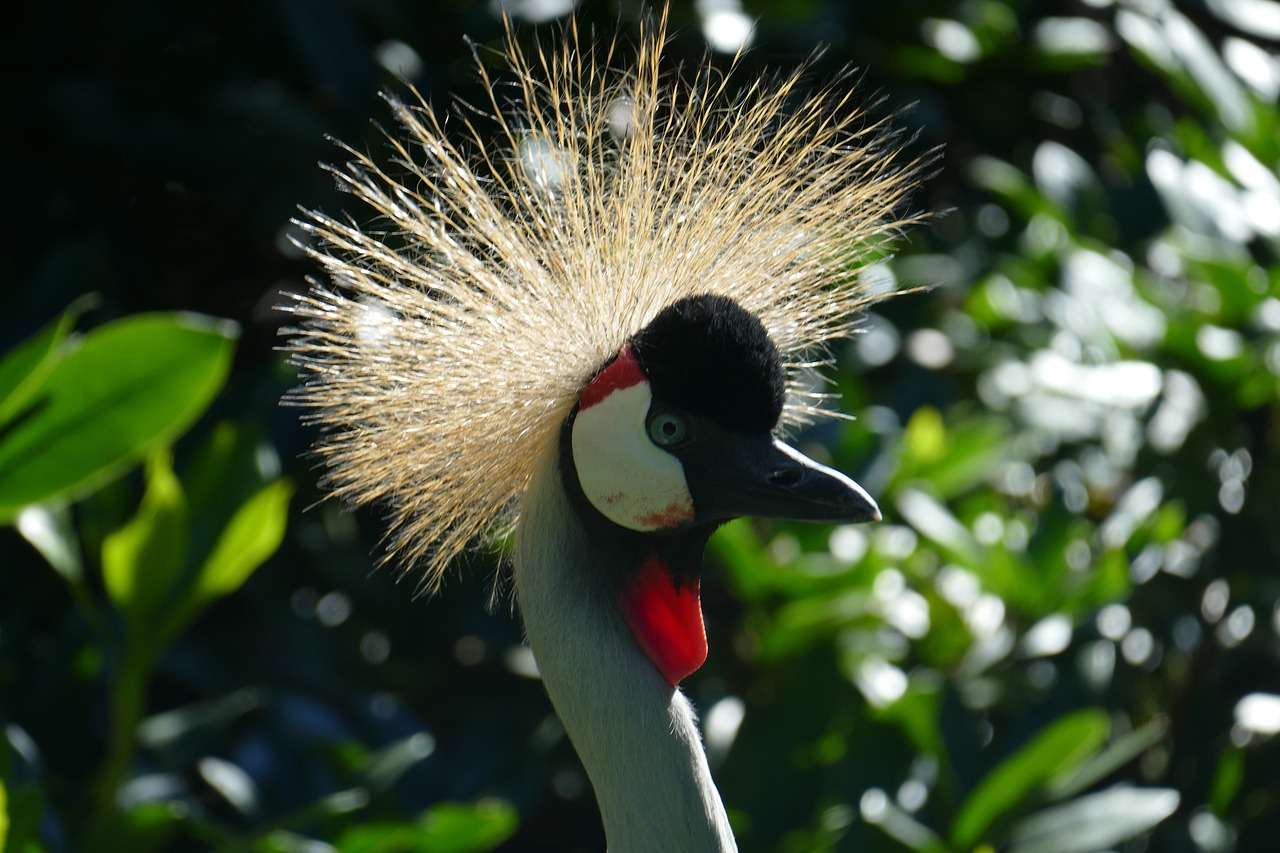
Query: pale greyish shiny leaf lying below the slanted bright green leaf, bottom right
{"points": [[1094, 823]]}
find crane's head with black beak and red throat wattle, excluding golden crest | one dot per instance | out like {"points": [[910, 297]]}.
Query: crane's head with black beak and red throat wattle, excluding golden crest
{"points": [[674, 437]]}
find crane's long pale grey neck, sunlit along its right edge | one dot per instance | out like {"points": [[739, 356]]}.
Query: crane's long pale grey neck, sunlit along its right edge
{"points": [[637, 737]]}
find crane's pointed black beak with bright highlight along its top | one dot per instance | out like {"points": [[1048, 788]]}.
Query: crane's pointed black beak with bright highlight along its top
{"points": [[761, 477]]}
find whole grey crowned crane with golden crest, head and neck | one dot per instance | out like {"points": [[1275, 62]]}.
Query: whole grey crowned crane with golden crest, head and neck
{"points": [[589, 335]]}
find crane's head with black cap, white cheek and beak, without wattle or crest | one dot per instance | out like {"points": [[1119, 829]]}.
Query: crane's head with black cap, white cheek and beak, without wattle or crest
{"points": [[678, 431]]}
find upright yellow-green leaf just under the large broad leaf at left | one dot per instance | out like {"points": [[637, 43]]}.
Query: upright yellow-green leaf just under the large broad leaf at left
{"points": [[143, 560]]}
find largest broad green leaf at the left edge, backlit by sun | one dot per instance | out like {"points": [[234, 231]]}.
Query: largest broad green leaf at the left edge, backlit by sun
{"points": [[126, 389]]}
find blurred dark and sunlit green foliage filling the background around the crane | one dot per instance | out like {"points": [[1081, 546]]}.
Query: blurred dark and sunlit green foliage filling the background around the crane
{"points": [[1064, 637]]}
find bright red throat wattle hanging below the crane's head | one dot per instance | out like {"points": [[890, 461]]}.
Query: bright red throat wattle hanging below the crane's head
{"points": [[666, 621]]}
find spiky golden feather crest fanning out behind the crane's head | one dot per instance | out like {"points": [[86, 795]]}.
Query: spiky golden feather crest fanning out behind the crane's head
{"points": [[501, 277]]}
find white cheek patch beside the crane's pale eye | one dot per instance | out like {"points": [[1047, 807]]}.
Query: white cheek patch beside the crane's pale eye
{"points": [[624, 475]]}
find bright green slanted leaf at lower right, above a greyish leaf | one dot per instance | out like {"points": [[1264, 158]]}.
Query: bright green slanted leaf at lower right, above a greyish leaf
{"points": [[1053, 754]]}
